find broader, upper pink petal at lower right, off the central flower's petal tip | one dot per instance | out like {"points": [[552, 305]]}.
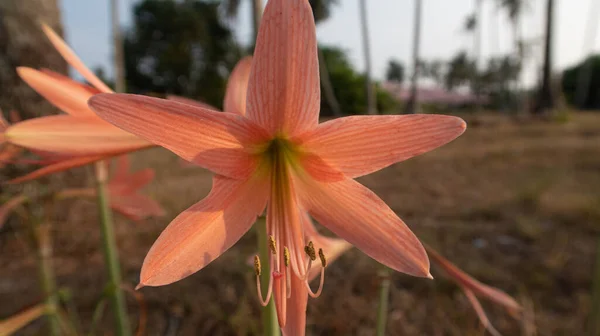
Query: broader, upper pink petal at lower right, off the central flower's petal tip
{"points": [[472, 284]]}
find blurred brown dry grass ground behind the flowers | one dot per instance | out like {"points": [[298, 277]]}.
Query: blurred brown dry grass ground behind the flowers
{"points": [[515, 204]]}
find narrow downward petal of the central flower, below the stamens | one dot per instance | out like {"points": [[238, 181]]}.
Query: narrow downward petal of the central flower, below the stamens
{"points": [[296, 308]]}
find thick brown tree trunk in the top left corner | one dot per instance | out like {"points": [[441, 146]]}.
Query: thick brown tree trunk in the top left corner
{"points": [[22, 43]]}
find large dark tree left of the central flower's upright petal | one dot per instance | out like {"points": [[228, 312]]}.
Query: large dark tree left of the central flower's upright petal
{"points": [[180, 47]]}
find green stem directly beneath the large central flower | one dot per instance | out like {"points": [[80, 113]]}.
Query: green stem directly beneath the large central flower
{"points": [[269, 313]]}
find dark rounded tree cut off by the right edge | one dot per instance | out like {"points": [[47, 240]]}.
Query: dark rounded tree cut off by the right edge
{"points": [[570, 84]]}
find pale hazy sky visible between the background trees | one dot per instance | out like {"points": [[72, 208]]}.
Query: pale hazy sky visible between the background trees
{"points": [[87, 30]]}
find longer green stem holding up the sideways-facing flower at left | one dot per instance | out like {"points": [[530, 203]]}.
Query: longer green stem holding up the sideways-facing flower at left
{"points": [[111, 255]]}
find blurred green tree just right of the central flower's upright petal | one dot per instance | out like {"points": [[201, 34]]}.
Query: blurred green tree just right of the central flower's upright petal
{"points": [[349, 86]]}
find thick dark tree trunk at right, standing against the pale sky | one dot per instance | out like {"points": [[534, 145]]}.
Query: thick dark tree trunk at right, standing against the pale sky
{"points": [[545, 98]]}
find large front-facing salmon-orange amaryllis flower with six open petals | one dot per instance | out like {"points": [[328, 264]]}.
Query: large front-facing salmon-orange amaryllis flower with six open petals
{"points": [[278, 157]]}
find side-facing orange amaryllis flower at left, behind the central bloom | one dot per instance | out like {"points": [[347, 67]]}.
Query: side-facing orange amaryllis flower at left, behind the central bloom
{"points": [[78, 138]]}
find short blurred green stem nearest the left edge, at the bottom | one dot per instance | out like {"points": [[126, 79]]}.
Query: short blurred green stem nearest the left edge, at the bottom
{"points": [[48, 282]]}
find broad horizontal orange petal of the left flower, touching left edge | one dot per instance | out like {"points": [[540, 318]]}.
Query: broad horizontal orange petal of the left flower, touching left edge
{"points": [[70, 135]]}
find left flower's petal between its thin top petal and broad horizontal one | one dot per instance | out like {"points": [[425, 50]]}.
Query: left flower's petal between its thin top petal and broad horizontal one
{"points": [[66, 94]]}
